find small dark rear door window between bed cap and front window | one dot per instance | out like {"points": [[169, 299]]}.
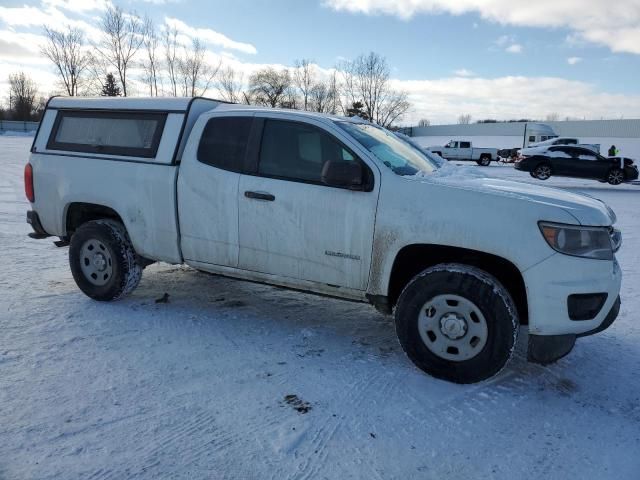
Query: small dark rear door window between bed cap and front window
{"points": [[224, 142]]}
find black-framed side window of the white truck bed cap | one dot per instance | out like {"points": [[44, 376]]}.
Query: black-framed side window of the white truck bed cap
{"points": [[135, 134]]}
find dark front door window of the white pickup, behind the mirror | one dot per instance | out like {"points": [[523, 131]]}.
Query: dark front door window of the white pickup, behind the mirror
{"points": [[297, 151]]}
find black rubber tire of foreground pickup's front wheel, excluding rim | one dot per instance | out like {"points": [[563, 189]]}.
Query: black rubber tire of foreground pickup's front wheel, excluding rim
{"points": [[481, 289]]}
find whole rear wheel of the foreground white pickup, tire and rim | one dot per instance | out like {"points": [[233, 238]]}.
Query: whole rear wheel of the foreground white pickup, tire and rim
{"points": [[122, 270]]}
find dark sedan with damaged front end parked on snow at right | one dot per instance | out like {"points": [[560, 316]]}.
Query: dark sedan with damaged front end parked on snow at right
{"points": [[578, 162]]}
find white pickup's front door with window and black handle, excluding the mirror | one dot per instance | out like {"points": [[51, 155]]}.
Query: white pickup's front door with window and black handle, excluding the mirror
{"points": [[291, 224]]}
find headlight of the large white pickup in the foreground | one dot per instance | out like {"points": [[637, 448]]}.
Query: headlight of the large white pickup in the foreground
{"points": [[587, 242]]}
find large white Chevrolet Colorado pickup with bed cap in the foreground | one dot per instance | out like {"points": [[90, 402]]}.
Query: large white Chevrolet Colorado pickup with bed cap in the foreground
{"points": [[328, 205]]}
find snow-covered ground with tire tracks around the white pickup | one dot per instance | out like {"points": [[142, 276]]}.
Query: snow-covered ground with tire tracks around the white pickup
{"points": [[204, 386]]}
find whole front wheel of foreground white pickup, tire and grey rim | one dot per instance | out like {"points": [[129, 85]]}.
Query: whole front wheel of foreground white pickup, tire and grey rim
{"points": [[457, 323]]}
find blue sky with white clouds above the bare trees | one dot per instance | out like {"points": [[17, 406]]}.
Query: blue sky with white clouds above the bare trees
{"points": [[578, 58]]}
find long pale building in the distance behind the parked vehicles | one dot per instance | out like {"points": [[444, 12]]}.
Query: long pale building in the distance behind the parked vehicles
{"points": [[624, 134]]}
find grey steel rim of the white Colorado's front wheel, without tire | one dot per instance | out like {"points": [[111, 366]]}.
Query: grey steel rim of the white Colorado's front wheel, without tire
{"points": [[452, 327]]}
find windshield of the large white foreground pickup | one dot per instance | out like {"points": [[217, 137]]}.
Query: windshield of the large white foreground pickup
{"points": [[401, 157]]}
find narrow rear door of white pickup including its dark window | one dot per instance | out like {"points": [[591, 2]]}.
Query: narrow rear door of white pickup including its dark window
{"points": [[208, 188]]}
